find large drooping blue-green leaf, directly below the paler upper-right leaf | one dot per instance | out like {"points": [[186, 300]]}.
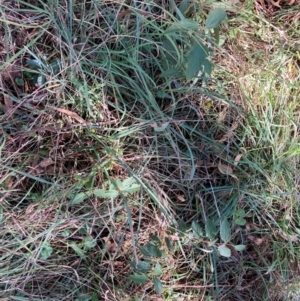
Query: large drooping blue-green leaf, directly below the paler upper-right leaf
{"points": [[195, 59]]}
